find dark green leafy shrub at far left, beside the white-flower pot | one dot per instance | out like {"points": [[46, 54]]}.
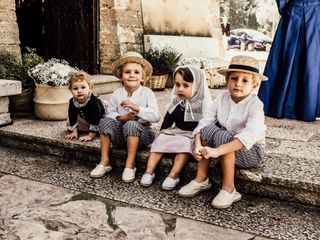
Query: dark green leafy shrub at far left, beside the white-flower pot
{"points": [[13, 67]]}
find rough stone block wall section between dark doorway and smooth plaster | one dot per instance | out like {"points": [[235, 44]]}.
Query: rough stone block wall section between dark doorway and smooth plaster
{"points": [[121, 30]]}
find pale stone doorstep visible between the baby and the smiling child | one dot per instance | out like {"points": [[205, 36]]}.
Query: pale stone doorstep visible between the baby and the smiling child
{"points": [[104, 84]]}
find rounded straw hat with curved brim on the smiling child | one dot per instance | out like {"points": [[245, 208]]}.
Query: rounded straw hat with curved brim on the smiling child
{"points": [[131, 57]]}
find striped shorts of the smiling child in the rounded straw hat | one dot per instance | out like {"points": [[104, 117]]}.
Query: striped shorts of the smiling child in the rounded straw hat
{"points": [[118, 132]]}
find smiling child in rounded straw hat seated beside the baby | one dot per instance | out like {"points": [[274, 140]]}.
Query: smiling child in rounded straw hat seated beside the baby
{"points": [[132, 108]]}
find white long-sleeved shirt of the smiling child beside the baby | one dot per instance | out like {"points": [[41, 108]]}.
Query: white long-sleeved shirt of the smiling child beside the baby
{"points": [[143, 96]]}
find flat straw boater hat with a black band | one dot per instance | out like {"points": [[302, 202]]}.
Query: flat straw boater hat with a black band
{"points": [[243, 64]]}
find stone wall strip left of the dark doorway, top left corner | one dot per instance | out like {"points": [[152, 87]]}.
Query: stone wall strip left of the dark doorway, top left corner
{"points": [[9, 31]]}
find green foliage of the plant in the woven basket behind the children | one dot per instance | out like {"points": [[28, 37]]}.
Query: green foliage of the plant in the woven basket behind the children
{"points": [[163, 61]]}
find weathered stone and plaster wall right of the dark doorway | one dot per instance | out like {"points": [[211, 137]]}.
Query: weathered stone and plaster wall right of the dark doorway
{"points": [[123, 23]]}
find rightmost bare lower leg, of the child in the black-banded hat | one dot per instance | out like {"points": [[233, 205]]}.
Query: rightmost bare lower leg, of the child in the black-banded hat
{"points": [[228, 169]]}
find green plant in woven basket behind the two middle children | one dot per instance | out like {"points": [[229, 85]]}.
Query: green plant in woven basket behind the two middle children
{"points": [[164, 62]]}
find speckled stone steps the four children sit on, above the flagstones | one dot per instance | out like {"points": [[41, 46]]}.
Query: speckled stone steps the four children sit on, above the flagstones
{"points": [[37, 150]]}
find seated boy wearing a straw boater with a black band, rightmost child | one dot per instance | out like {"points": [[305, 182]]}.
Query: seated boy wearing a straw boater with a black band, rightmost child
{"points": [[234, 133]]}
